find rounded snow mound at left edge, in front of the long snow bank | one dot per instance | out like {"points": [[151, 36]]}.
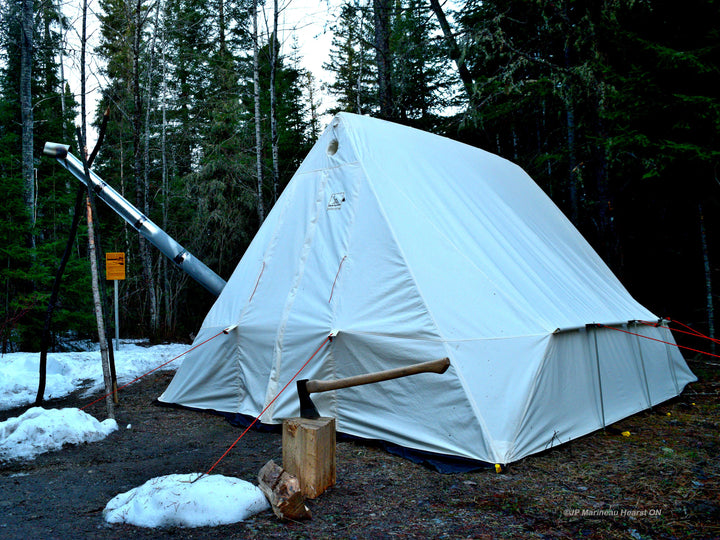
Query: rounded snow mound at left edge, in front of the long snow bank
{"points": [[41, 430]]}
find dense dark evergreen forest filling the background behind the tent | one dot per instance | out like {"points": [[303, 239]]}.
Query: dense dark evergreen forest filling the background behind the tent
{"points": [[612, 106]]}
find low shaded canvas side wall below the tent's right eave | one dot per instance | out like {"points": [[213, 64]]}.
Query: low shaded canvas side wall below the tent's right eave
{"points": [[571, 398]]}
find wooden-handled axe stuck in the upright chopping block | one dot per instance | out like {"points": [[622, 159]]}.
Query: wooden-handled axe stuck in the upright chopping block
{"points": [[306, 387]]}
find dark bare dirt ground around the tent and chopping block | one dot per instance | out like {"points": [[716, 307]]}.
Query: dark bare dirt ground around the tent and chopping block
{"points": [[661, 482]]}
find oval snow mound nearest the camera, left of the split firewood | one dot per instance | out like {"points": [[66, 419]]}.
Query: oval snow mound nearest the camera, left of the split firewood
{"points": [[174, 500]]}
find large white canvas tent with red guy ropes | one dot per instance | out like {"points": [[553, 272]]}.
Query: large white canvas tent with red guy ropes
{"points": [[414, 247]]}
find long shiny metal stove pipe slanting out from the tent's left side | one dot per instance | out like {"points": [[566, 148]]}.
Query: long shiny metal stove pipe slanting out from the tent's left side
{"points": [[182, 258]]}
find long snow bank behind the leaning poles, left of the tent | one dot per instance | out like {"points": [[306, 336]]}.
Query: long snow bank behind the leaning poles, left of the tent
{"points": [[66, 372]]}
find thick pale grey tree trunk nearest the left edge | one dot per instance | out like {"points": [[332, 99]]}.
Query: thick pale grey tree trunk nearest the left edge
{"points": [[28, 168]]}
